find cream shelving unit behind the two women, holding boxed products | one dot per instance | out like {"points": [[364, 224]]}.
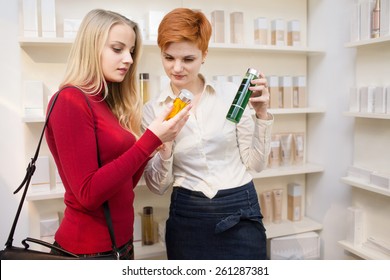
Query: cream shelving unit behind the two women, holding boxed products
{"points": [[224, 60]]}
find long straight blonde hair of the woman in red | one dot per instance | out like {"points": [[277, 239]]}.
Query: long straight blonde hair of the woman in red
{"points": [[84, 68]]}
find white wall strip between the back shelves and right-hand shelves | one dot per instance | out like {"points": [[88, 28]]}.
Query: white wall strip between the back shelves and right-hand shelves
{"points": [[331, 134]]}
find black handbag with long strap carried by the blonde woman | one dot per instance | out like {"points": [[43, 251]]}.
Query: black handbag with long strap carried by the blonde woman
{"points": [[11, 252]]}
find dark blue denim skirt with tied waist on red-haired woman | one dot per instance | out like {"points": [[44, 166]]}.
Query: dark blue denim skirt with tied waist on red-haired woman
{"points": [[229, 226]]}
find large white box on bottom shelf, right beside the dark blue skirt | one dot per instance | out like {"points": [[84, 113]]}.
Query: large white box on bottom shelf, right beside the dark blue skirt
{"points": [[303, 246]]}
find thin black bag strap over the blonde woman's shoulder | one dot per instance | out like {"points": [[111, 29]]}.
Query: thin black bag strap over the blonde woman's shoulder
{"points": [[30, 172]]}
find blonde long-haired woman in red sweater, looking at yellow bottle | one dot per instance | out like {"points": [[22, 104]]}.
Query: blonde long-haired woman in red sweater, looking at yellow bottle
{"points": [[94, 135]]}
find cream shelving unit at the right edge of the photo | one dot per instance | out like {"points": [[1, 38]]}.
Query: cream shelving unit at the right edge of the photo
{"points": [[371, 137]]}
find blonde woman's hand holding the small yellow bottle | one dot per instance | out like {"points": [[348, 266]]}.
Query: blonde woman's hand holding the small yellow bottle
{"points": [[168, 130]]}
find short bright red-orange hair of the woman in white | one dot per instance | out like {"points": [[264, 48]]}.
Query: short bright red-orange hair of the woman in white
{"points": [[183, 24]]}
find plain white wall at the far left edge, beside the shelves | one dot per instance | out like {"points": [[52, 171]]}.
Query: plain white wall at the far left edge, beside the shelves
{"points": [[12, 150]]}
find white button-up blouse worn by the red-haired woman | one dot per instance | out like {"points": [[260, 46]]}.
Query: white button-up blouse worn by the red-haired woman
{"points": [[210, 153]]}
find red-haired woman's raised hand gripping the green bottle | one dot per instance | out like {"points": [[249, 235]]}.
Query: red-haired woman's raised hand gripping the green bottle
{"points": [[260, 96]]}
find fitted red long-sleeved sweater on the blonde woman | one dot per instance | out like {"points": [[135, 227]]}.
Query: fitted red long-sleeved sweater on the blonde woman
{"points": [[71, 138]]}
